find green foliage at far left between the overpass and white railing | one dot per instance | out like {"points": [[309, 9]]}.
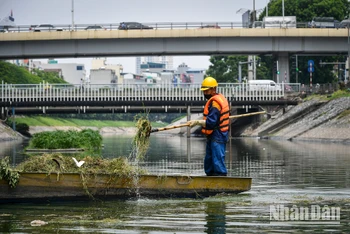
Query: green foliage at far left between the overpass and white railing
{"points": [[13, 74]]}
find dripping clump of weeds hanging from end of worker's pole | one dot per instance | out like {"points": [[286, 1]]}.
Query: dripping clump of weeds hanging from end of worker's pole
{"points": [[141, 139]]}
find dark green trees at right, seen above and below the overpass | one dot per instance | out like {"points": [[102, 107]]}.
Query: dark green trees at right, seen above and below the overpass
{"points": [[225, 68]]}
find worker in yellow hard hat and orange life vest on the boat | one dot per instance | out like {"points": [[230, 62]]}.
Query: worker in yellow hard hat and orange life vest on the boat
{"points": [[215, 126]]}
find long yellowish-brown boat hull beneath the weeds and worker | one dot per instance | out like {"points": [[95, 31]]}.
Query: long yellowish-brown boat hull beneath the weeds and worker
{"points": [[70, 186]]}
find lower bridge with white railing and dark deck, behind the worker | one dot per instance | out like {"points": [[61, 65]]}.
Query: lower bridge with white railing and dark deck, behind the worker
{"points": [[163, 98]]}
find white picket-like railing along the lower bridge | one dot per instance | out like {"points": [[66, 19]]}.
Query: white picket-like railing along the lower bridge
{"points": [[133, 92]]}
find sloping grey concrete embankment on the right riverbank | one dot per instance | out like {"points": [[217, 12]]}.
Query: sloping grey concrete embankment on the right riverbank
{"points": [[310, 120]]}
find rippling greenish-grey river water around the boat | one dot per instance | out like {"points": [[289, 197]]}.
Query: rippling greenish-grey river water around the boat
{"points": [[288, 177]]}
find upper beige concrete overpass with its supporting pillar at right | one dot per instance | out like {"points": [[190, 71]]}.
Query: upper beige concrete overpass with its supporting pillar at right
{"points": [[279, 42]]}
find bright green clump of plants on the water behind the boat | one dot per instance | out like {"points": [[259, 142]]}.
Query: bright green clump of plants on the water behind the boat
{"points": [[87, 139]]}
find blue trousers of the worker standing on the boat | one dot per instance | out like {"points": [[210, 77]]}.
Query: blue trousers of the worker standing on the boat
{"points": [[214, 161]]}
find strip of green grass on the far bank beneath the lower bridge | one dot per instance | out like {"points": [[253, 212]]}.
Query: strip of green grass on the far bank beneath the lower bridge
{"points": [[49, 121]]}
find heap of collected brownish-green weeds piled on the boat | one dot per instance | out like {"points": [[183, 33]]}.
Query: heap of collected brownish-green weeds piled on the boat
{"points": [[58, 163]]}
